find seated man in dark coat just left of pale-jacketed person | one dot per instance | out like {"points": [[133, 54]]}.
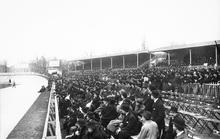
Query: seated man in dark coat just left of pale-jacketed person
{"points": [[129, 125]]}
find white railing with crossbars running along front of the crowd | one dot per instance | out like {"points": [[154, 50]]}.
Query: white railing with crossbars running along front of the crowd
{"points": [[52, 123]]}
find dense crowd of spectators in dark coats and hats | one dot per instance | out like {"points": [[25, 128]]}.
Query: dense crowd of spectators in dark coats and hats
{"points": [[92, 106]]}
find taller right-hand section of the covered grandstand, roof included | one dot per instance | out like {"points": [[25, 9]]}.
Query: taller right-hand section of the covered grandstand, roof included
{"points": [[192, 54]]}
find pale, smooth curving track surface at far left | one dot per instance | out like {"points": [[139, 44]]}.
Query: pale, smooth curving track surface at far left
{"points": [[15, 102]]}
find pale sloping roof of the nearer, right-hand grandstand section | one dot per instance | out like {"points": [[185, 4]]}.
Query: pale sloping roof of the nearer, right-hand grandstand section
{"points": [[185, 46]]}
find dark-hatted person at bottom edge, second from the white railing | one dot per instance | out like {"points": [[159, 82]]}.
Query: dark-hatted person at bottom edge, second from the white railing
{"points": [[93, 131]]}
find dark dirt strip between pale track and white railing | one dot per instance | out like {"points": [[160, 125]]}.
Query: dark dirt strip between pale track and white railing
{"points": [[31, 125]]}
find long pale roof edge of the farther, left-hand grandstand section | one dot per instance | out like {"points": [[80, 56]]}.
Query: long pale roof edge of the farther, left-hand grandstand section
{"points": [[111, 55]]}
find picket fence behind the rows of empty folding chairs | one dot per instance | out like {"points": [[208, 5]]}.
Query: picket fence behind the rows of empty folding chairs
{"points": [[212, 90]]}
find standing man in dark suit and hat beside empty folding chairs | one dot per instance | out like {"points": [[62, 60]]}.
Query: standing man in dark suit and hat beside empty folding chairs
{"points": [[158, 113]]}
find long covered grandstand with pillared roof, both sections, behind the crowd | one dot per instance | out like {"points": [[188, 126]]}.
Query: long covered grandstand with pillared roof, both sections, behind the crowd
{"points": [[179, 55]]}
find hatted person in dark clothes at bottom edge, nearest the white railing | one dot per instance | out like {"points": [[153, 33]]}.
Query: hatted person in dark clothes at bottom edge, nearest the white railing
{"points": [[79, 130]]}
